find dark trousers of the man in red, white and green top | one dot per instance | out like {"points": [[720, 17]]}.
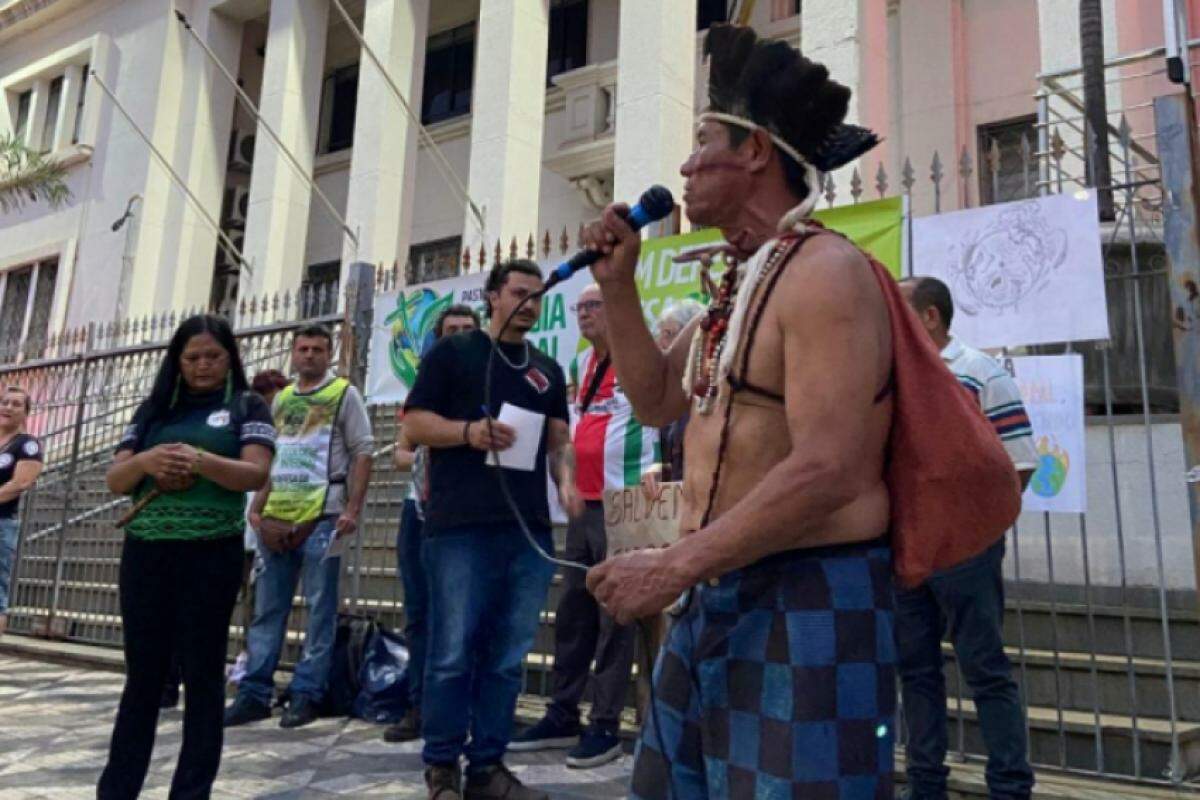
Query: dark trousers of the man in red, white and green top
{"points": [[585, 631]]}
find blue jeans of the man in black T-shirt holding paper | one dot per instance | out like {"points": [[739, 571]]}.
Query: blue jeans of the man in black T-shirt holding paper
{"points": [[488, 588]]}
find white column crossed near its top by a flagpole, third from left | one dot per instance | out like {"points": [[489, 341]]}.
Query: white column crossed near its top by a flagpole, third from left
{"points": [[380, 209]]}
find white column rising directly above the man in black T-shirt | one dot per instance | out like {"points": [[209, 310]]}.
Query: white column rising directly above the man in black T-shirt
{"points": [[508, 117]]}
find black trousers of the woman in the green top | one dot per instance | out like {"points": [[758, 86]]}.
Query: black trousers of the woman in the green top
{"points": [[177, 599]]}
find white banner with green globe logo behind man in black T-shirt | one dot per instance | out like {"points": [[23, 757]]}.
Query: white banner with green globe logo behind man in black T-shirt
{"points": [[405, 320]]}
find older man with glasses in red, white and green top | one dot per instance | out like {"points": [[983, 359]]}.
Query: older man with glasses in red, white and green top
{"points": [[613, 450]]}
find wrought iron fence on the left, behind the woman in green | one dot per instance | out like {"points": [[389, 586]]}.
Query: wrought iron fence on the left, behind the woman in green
{"points": [[65, 578]]}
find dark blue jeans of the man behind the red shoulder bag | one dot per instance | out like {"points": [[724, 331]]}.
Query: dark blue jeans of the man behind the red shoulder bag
{"points": [[968, 604]]}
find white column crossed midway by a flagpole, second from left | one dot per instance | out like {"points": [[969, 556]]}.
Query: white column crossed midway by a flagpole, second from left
{"points": [[278, 216]]}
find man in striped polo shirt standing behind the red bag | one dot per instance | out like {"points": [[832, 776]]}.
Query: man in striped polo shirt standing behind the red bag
{"points": [[967, 603]]}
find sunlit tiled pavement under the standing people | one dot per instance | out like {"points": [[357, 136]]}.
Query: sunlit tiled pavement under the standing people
{"points": [[56, 723]]}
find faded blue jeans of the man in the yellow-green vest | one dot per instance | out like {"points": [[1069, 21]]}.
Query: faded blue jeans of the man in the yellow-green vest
{"points": [[273, 604]]}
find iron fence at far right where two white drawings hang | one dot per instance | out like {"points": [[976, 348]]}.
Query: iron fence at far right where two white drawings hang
{"points": [[1101, 622]]}
